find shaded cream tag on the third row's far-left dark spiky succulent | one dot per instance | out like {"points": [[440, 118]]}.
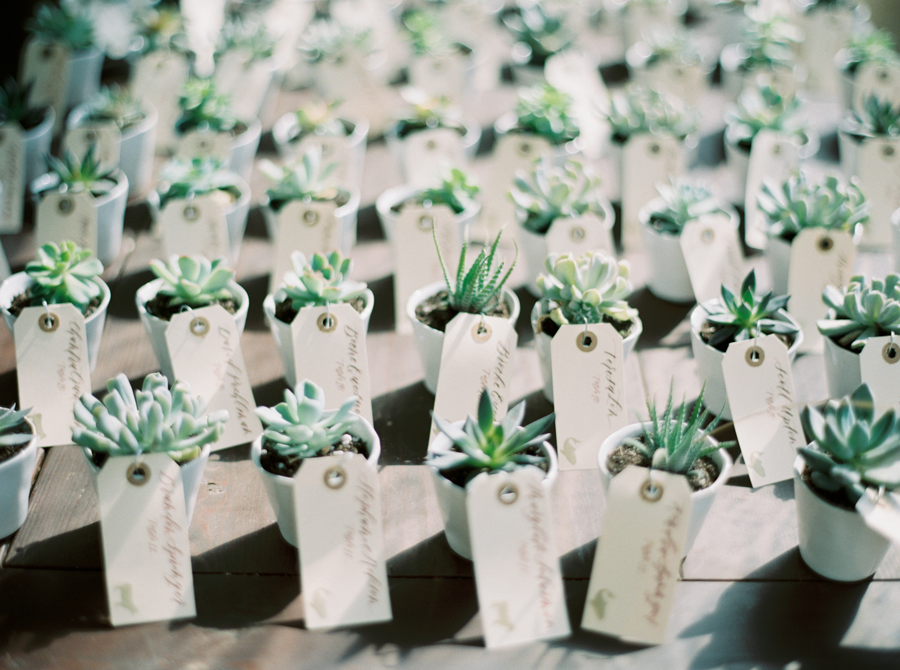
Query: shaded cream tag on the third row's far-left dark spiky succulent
{"points": [[67, 216]]}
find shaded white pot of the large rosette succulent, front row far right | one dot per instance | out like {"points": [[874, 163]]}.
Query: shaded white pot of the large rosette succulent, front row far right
{"points": [[835, 542]]}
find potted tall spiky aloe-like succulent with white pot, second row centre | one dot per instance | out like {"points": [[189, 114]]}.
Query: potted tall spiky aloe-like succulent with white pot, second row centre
{"points": [[476, 290]]}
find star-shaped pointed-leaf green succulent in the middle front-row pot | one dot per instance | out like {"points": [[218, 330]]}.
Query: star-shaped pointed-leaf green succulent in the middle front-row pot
{"points": [[485, 445]]}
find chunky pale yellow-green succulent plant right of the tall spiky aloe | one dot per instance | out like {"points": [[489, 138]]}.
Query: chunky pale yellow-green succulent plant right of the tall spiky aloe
{"points": [[590, 288]]}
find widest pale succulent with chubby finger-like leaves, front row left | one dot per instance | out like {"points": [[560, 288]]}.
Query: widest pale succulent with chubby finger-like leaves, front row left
{"points": [[154, 419]]}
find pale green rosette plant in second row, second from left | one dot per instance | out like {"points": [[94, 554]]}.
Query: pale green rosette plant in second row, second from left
{"points": [[194, 281]]}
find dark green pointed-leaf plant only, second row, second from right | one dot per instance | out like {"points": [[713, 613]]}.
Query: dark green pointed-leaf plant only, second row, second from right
{"points": [[743, 316]]}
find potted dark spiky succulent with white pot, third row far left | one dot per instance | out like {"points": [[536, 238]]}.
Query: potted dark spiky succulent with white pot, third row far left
{"points": [[108, 190]]}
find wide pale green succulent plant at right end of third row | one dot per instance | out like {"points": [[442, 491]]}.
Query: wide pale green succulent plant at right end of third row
{"points": [[798, 203]]}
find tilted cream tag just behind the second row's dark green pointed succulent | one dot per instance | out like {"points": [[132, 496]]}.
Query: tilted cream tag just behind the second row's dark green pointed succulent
{"points": [[712, 254]]}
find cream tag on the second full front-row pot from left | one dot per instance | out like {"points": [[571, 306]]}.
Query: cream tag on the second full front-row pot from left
{"points": [[341, 540]]}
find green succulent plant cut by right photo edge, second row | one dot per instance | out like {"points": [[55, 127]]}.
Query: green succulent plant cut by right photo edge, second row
{"points": [[861, 310]]}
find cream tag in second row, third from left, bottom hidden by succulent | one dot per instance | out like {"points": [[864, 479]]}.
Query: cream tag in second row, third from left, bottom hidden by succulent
{"points": [[330, 349]]}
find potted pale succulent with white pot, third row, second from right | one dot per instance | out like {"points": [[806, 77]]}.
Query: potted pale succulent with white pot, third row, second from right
{"points": [[662, 221]]}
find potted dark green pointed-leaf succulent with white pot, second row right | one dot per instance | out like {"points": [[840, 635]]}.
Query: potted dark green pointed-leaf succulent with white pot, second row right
{"points": [[734, 318]]}
